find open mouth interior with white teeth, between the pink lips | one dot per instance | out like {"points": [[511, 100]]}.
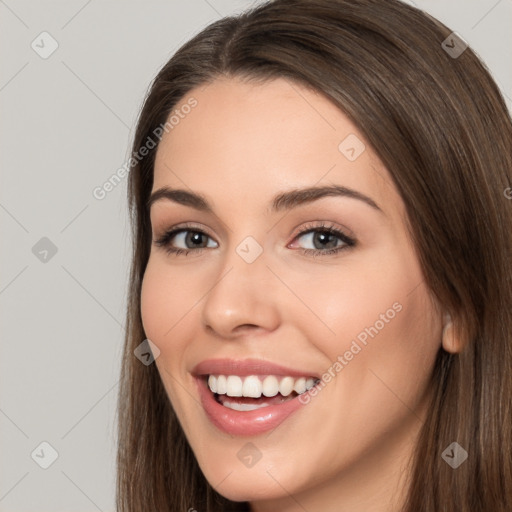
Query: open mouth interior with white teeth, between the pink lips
{"points": [[252, 392]]}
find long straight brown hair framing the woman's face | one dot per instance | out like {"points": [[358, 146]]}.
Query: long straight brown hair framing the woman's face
{"points": [[439, 124]]}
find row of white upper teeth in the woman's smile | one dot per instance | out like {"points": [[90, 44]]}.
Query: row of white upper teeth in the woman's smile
{"points": [[254, 386]]}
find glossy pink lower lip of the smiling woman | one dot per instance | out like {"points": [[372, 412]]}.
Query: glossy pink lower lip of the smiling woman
{"points": [[245, 423]]}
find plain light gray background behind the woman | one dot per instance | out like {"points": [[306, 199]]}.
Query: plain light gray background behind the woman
{"points": [[66, 126]]}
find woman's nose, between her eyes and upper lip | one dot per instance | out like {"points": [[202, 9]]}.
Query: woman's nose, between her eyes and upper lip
{"points": [[242, 299]]}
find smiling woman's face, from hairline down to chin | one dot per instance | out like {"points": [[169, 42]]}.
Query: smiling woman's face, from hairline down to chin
{"points": [[267, 301]]}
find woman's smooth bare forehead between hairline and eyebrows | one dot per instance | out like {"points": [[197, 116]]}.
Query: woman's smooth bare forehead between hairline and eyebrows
{"points": [[252, 139]]}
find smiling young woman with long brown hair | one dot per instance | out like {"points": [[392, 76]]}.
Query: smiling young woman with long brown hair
{"points": [[322, 238]]}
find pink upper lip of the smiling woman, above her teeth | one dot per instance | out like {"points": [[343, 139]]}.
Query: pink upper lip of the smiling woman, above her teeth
{"points": [[244, 367]]}
